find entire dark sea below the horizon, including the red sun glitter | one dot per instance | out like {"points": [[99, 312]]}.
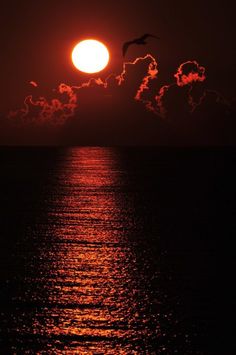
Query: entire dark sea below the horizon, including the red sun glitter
{"points": [[116, 250]]}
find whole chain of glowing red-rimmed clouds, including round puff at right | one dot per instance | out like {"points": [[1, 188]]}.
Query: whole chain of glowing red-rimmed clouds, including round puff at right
{"points": [[67, 99]]}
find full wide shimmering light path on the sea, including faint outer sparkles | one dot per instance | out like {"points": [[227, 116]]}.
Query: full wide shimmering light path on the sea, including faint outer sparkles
{"points": [[83, 289]]}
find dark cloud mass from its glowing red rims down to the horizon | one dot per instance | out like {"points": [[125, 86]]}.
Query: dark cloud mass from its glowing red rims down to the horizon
{"points": [[127, 109]]}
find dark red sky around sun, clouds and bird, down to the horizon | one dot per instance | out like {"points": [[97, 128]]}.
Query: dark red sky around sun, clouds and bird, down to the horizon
{"points": [[36, 42]]}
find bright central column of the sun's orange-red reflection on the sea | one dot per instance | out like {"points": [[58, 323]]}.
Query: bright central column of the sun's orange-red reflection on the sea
{"points": [[95, 298]]}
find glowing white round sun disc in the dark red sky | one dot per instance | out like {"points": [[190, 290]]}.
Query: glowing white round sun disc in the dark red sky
{"points": [[90, 56]]}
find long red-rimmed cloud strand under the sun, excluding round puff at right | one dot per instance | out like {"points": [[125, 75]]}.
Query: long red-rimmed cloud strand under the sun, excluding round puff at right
{"points": [[64, 106]]}
